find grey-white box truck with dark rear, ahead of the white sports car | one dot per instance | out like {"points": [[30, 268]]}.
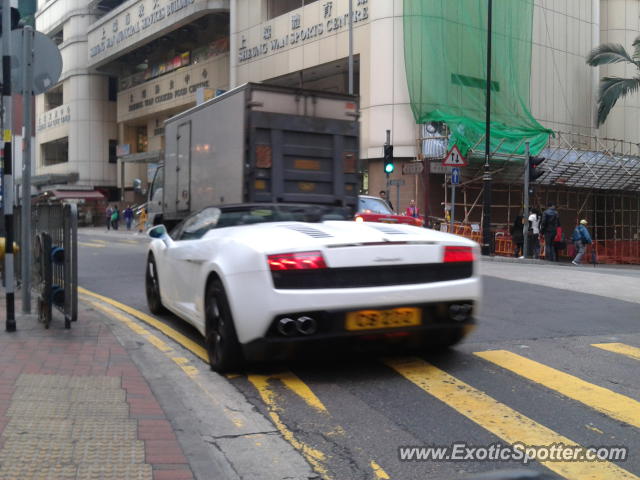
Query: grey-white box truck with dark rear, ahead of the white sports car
{"points": [[259, 143]]}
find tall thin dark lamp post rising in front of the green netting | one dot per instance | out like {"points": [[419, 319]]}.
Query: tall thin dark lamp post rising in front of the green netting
{"points": [[486, 178]]}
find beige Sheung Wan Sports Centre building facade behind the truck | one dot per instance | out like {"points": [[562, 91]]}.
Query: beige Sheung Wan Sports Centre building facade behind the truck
{"points": [[130, 65]]}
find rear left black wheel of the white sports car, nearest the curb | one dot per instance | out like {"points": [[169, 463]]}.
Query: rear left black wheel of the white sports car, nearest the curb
{"points": [[221, 340]]}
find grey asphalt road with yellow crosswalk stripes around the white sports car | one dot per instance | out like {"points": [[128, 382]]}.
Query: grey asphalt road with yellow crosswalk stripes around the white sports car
{"points": [[554, 360]]}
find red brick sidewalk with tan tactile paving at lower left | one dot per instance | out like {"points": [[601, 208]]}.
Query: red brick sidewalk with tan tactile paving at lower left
{"points": [[73, 405]]}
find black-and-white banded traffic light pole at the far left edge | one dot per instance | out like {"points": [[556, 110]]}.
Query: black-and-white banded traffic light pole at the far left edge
{"points": [[7, 193]]}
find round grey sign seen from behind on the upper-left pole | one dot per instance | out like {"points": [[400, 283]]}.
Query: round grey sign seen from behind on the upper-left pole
{"points": [[47, 62]]}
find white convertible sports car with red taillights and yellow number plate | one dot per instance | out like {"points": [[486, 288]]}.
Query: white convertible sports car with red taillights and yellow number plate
{"points": [[257, 280]]}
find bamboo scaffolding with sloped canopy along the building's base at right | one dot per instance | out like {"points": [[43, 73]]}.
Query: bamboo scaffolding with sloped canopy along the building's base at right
{"points": [[597, 179]]}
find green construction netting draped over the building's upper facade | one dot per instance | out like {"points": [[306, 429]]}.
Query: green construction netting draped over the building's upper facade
{"points": [[445, 44]]}
